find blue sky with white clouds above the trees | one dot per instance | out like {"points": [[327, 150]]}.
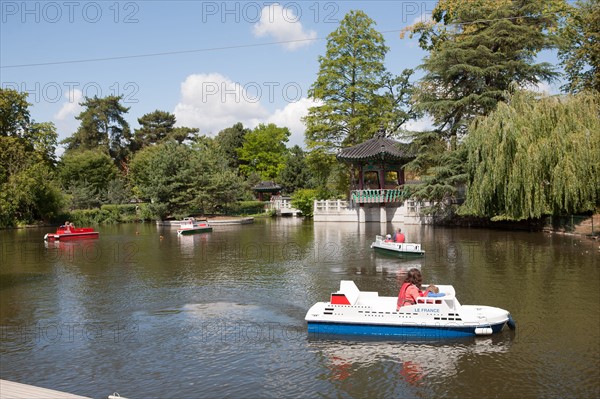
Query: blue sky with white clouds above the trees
{"points": [[211, 63]]}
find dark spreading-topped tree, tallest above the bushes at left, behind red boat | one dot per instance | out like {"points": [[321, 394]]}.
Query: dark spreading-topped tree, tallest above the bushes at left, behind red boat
{"points": [[102, 126]]}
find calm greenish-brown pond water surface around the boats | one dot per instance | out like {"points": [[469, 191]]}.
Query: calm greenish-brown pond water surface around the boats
{"points": [[221, 315]]}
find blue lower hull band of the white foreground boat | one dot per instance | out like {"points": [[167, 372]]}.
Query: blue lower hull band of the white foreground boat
{"points": [[320, 329]]}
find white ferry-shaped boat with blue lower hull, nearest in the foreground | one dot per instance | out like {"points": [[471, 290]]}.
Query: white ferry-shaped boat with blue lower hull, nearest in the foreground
{"points": [[352, 312]]}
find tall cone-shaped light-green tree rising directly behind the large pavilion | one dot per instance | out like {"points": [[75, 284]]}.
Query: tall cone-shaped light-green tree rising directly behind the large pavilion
{"points": [[358, 96]]}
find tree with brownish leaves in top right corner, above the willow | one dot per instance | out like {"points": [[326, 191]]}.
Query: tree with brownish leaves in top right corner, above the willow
{"points": [[579, 51]]}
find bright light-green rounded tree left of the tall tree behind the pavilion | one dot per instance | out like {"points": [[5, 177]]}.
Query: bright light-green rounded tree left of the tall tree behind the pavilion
{"points": [[264, 151]]}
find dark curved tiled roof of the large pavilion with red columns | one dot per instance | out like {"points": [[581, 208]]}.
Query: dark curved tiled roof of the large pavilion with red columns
{"points": [[378, 148]]}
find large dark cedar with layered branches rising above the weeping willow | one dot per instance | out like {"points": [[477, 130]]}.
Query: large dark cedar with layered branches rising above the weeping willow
{"points": [[479, 49]]}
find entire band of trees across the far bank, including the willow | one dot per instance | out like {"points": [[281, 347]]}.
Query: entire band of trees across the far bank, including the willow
{"points": [[508, 153]]}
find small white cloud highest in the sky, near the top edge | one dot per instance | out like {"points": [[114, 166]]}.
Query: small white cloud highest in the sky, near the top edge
{"points": [[284, 26]]}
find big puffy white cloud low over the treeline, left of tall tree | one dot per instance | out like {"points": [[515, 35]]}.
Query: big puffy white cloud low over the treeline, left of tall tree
{"points": [[213, 102]]}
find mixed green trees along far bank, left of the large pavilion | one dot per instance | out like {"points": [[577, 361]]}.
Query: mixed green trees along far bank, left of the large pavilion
{"points": [[172, 171]]}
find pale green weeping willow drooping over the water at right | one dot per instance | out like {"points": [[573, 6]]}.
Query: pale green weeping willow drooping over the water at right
{"points": [[535, 156]]}
